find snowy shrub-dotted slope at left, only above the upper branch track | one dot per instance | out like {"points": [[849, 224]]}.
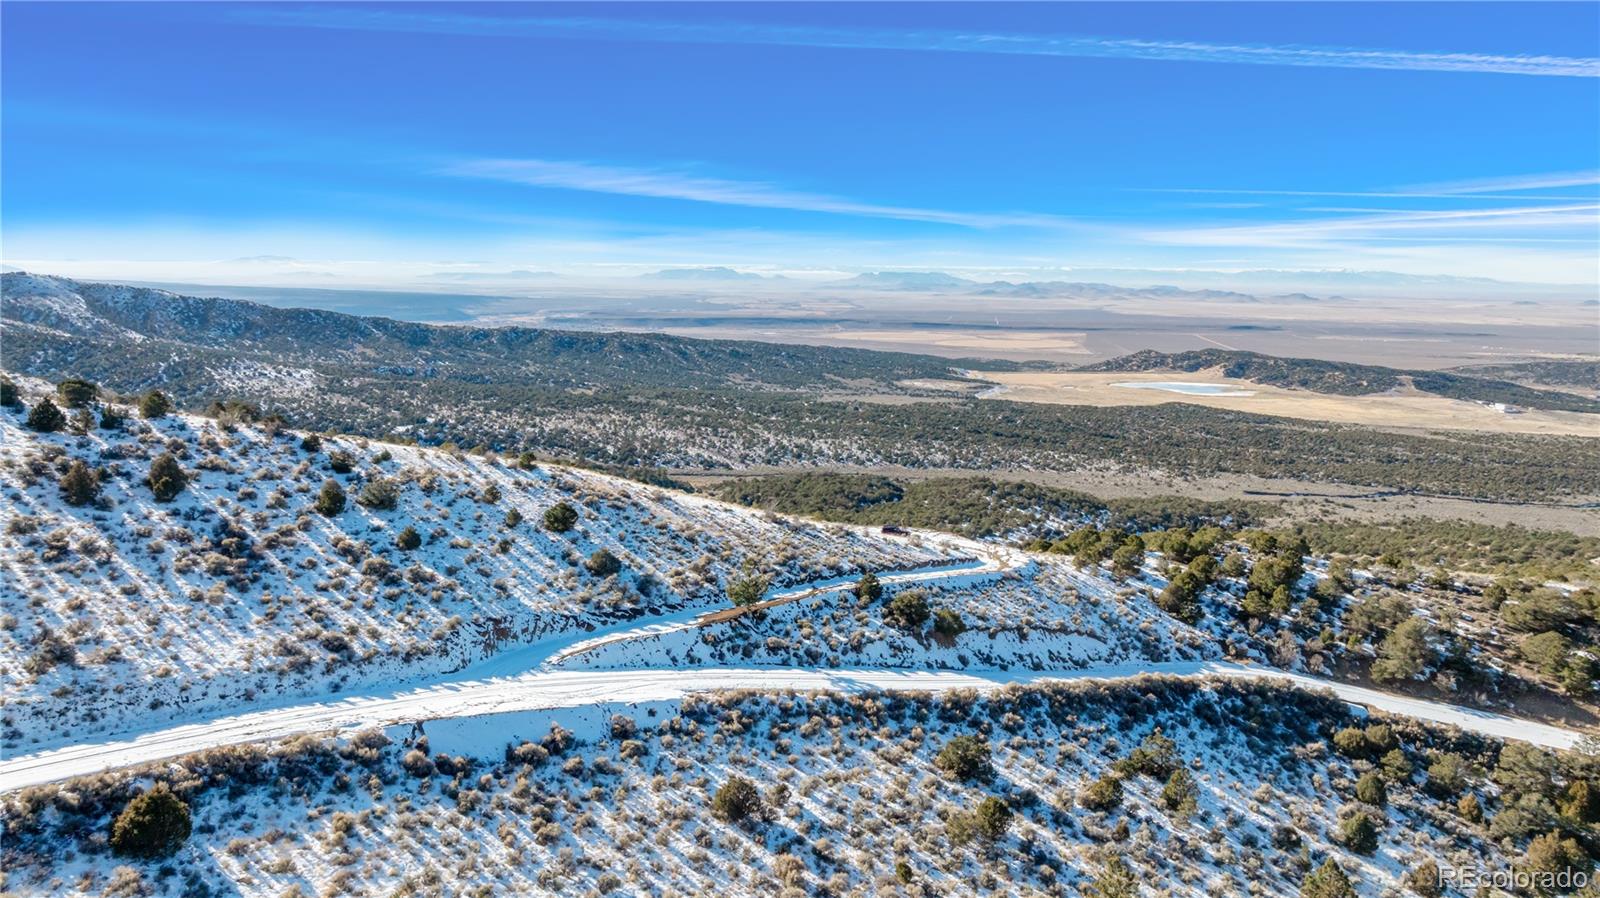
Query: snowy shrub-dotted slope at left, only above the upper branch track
{"points": [[238, 593]]}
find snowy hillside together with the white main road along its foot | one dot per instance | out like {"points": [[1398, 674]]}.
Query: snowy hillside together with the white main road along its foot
{"points": [[178, 614]]}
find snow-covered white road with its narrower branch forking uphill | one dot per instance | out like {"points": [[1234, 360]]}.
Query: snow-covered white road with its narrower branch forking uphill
{"points": [[548, 689]]}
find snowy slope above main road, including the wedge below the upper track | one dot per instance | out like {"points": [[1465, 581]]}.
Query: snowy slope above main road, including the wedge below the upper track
{"points": [[238, 593]]}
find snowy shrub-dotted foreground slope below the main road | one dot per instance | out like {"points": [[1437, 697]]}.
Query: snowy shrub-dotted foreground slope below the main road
{"points": [[852, 795]]}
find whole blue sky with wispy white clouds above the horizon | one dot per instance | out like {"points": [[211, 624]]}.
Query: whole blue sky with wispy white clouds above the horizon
{"points": [[374, 142]]}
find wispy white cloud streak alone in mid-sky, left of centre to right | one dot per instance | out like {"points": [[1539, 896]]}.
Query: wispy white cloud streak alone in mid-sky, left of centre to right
{"points": [[684, 186]]}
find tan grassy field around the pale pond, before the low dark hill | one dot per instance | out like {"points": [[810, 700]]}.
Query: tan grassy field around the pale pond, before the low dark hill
{"points": [[1402, 409]]}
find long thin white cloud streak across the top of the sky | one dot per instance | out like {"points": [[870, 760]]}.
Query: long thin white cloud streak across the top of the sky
{"points": [[922, 41]]}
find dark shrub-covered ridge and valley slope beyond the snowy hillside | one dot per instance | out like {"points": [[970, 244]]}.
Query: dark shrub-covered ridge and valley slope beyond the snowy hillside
{"points": [[639, 401]]}
